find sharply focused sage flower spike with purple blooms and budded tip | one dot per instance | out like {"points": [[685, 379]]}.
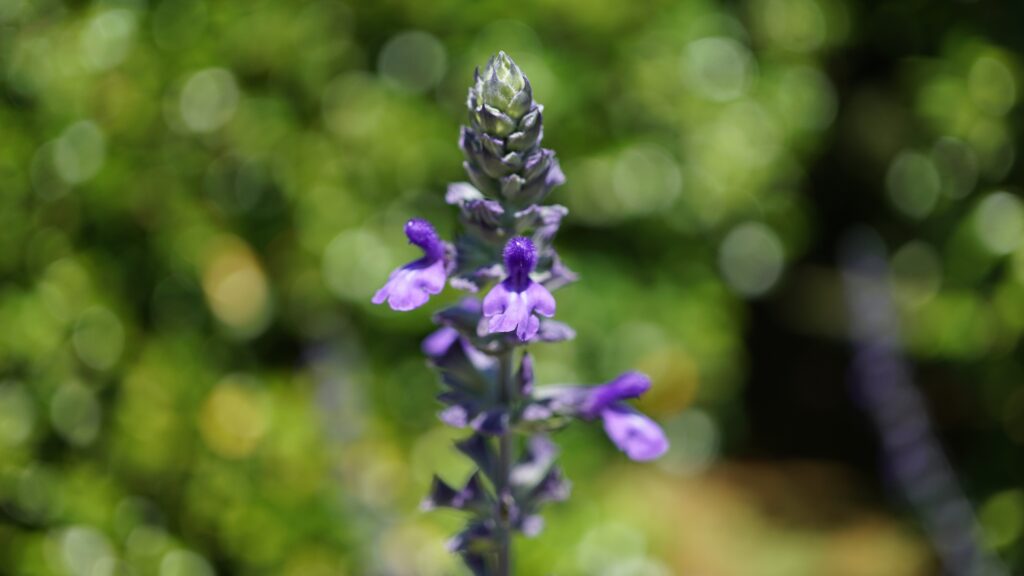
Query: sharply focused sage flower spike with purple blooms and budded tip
{"points": [[481, 349]]}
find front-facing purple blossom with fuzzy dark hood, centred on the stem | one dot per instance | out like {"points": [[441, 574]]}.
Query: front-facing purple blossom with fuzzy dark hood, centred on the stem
{"points": [[511, 305]]}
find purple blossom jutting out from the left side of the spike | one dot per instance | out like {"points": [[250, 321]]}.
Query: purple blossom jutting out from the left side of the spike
{"points": [[412, 285]]}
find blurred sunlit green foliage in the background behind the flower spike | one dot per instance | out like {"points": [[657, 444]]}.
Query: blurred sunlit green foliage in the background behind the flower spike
{"points": [[198, 199]]}
